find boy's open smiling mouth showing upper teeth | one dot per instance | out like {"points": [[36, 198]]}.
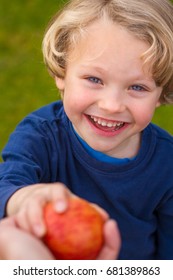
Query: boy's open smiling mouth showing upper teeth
{"points": [[106, 125]]}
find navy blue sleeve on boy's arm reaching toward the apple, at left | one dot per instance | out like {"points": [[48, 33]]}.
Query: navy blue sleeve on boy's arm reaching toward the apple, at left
{"points": [[26, 159]]}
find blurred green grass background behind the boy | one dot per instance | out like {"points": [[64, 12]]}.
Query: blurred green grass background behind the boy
{"points": [[25, 84]]}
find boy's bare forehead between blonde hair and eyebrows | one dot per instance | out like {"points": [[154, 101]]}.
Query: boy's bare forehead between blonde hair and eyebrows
{"points": [[105, 42]]}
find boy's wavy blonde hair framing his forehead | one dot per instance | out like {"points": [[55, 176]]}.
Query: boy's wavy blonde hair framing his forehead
{"points": [[149, 20]]}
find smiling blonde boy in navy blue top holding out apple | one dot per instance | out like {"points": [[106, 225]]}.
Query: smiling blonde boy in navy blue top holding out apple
{"points": [[113, 63]]}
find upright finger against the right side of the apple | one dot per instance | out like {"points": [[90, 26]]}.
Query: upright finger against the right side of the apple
{"points": [[112, 245]]}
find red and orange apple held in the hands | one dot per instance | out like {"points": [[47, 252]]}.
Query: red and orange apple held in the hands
{"points": [[77, 233]]}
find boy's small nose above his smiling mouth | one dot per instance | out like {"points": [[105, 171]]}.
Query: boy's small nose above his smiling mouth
{"points": [[112, 101]]}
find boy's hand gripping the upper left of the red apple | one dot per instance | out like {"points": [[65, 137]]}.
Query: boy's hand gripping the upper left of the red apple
{"points": [[29, 203]]}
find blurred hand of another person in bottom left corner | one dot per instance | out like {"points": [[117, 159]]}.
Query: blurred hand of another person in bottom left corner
{"points": [[16, 244]]}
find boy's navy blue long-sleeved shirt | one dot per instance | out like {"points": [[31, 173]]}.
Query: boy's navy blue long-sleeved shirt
{"points": [[138, 194]]}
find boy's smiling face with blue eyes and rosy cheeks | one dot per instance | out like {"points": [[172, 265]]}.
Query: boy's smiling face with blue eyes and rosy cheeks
{"points": [[108, 96]]}
